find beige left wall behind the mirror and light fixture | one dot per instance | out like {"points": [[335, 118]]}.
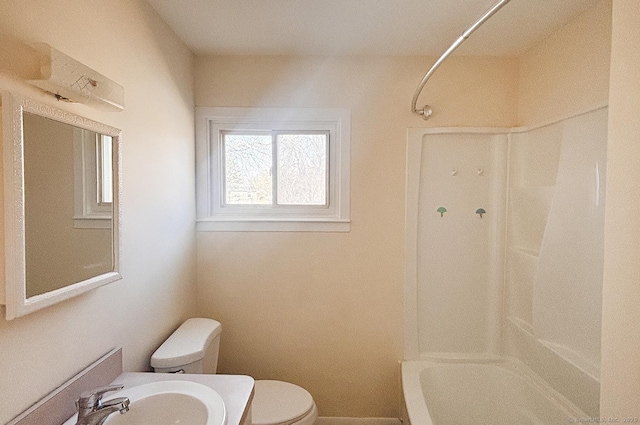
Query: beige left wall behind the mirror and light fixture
{"points": [[126, 41]]}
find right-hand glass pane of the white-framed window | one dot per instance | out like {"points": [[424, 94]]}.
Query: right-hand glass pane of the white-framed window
{"points": [[302, 169]]}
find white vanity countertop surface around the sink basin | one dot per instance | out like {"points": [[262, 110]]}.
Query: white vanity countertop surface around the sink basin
{"points": [[235, 390]]}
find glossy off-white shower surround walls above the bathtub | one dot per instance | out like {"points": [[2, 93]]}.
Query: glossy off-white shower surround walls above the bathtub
{"points": [[513, 268]]}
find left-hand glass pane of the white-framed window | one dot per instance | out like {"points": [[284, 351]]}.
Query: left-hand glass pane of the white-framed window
{"points": [[247, 162]]}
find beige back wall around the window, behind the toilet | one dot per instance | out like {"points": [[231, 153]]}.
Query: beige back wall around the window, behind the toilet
{"points": [[324, 310]]}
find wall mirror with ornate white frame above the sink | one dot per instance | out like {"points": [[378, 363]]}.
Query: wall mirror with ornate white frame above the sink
{"points": [[61, 191]]}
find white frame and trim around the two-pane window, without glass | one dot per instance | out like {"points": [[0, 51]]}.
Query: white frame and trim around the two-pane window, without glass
{"points": [[214, 215]]}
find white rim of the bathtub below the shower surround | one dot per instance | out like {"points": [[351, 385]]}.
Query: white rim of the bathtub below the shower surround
{"points": [[413, 398]]}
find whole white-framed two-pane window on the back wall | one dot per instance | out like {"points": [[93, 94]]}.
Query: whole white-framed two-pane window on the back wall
{"points": [[267, 169]]}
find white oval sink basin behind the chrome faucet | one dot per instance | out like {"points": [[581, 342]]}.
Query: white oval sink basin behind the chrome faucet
{"points": [[168, 403]]}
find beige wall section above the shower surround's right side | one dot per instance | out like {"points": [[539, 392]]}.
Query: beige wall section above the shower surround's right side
{"points": [[568, 71]]}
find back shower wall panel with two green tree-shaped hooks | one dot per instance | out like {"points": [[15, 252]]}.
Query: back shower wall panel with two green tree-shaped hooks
{"points": [[458, 267]]}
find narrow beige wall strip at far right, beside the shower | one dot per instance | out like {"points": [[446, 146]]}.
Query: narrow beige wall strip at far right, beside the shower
{"points": [[621, 297]]}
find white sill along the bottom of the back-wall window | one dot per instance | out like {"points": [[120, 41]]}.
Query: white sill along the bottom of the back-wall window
{"points": [[273, 225]]}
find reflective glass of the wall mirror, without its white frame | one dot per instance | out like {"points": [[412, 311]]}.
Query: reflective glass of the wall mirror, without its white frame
{"points": [[68, 195]]}
